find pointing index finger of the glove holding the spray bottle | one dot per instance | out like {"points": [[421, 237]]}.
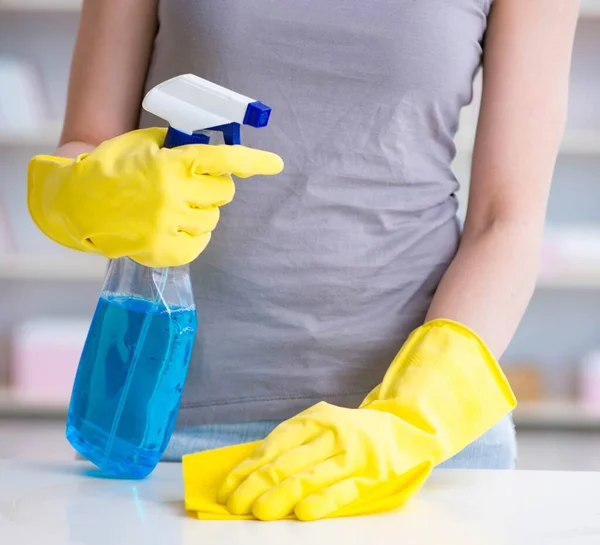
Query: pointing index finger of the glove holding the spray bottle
{"points": [[239, 161]]}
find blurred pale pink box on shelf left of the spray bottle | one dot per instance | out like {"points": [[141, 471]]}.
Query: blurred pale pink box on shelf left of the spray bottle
{"points": [[45, 355]]}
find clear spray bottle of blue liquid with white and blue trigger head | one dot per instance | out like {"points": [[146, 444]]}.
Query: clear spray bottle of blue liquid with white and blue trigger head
{"points": [[130, 378]]}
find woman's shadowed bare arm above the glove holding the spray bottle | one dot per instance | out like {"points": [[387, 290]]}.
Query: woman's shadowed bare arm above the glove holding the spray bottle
{"points": [[110, 61]]}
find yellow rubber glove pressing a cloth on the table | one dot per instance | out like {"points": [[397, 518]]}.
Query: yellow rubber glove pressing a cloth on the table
{"points": [[443, 390]]}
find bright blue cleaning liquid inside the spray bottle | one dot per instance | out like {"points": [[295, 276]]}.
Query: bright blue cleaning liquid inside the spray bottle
{"points": [[125, 398]]}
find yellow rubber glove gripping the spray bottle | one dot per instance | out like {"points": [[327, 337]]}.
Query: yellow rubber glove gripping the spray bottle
{"points": [[131, 197]]}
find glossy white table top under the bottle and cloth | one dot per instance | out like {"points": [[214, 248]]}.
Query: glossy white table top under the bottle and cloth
{"points": [[50, 504]]}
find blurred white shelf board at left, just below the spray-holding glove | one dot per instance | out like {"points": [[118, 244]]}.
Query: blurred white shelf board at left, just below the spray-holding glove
{"points": [[48, 267]]}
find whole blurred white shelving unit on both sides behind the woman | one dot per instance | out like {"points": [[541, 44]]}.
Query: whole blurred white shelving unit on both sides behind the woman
{"points": [[44, 281]]}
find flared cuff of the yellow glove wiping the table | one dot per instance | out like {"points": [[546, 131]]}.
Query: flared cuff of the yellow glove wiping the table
{"points": [[446, 382]]}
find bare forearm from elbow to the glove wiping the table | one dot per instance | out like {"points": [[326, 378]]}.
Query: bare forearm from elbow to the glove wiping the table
{"points": [[490, 281]]}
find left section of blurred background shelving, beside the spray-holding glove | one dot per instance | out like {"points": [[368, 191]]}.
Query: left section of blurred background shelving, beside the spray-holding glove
{"points": [[37, 279]]}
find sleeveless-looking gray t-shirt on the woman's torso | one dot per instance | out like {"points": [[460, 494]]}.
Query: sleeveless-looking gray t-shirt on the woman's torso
{"points": [[314, 278]]}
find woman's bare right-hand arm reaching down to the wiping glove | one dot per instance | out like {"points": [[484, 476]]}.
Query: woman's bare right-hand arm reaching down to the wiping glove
{"points": [[525, 86]]}
